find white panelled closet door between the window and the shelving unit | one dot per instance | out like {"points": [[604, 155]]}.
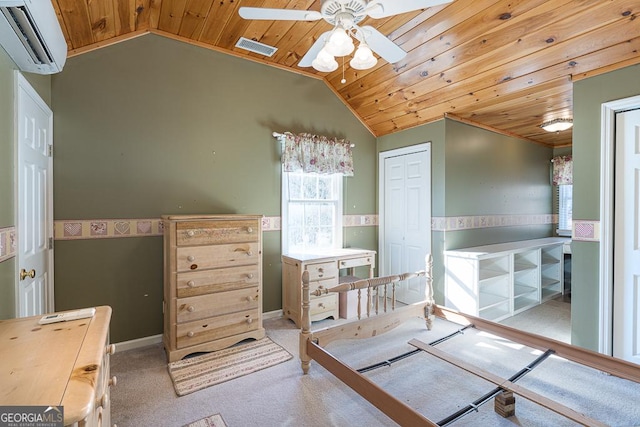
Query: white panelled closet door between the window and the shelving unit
{"points": [[405, 202]]}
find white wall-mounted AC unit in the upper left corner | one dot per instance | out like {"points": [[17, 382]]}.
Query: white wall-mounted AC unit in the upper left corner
{"points": [[31, 35]]}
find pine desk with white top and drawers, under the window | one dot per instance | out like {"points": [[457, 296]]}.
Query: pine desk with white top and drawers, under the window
{"points": [[324, 272]]}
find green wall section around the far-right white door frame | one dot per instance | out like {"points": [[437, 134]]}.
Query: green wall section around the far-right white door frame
{"points": [[588, 97]]}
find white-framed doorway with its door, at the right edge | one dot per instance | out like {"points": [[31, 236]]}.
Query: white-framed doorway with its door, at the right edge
{"points": [[620, 230]]}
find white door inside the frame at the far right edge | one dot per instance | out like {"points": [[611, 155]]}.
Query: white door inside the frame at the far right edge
{"points": [[626, 276]]}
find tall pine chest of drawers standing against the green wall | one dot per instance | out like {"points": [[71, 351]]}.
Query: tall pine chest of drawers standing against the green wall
{"points": [[212, 282]]}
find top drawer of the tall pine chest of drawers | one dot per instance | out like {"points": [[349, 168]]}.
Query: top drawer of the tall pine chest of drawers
{"points": [[207, 232]]}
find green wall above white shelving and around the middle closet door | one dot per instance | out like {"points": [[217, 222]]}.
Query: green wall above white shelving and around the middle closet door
{"points": [[478, 172]]}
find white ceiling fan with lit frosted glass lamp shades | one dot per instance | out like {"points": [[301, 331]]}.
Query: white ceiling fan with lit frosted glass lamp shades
{"points": [[345, 15]]}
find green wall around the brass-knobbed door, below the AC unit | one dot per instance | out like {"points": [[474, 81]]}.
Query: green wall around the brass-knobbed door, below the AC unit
{"points": [[7, 173]]}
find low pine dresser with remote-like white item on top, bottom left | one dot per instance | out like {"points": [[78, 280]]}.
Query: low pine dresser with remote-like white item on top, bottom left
{"points": [[59, 364]]}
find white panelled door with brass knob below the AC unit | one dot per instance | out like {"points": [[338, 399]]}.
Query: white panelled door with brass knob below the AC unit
{"points": [[35, 217]]}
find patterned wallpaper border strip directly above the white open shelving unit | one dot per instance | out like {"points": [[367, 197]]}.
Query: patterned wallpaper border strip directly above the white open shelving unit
{"points": [[469, 222]]}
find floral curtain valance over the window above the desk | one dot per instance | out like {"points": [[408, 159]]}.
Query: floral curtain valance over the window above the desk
{"points": [[318, 154]]}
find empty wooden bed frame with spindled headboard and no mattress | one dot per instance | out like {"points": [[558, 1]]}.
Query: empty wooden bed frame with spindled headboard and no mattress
{"points": [[381, 315]]}
